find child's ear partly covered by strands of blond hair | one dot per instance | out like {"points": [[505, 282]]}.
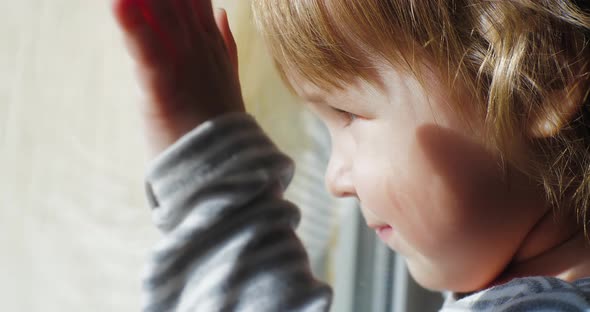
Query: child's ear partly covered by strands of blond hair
{"points": [[560, 108]]}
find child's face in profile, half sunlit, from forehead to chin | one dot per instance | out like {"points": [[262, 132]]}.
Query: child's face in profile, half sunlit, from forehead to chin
{"points": [[415, 166]]}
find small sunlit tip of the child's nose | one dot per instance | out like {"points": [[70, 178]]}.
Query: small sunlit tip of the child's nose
{"points": [[338, 178]]}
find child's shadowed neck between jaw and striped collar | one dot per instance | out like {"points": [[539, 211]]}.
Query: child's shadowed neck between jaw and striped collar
{"points": [[556, 247]]}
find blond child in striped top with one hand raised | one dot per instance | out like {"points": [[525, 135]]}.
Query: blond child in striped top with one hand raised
{"points": [[460, 126]]}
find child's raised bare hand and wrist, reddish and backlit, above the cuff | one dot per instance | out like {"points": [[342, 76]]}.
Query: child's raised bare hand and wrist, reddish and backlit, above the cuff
{"points": [[187, 61]]}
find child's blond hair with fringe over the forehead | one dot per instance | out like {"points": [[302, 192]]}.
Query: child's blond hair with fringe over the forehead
{"points": [[509, 55]]}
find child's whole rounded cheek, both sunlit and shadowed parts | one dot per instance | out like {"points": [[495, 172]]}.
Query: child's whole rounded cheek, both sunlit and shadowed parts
{"points": [[444, 197]]}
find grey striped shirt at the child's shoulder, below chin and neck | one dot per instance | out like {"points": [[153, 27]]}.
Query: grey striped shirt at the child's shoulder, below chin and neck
{"points": [[530, 294]]}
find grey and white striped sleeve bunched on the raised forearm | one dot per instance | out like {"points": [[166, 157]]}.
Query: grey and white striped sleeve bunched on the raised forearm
{"points": [[228, 239]]}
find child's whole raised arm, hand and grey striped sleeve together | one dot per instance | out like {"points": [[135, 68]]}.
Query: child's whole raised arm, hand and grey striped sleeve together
{"points": [[216, 185]]}
